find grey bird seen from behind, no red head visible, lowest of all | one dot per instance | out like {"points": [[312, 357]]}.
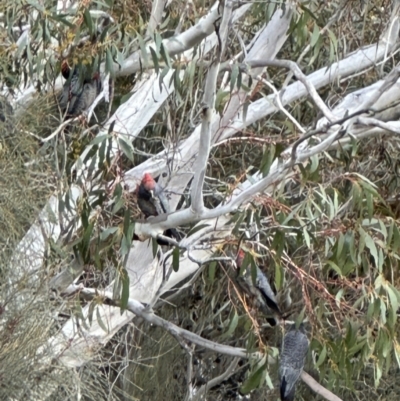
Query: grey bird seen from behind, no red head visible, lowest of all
{"points": [[293, 355]]}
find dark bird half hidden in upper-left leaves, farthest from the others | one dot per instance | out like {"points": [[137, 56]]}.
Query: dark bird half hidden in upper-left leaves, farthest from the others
{"points": [[78, 94]]}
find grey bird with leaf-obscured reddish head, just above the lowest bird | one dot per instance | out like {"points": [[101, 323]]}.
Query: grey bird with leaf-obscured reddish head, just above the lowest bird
{"points": [[260, 289]]}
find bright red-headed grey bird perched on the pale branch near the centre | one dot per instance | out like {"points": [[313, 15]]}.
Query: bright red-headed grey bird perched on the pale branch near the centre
{"points": [[153, 202]]}
